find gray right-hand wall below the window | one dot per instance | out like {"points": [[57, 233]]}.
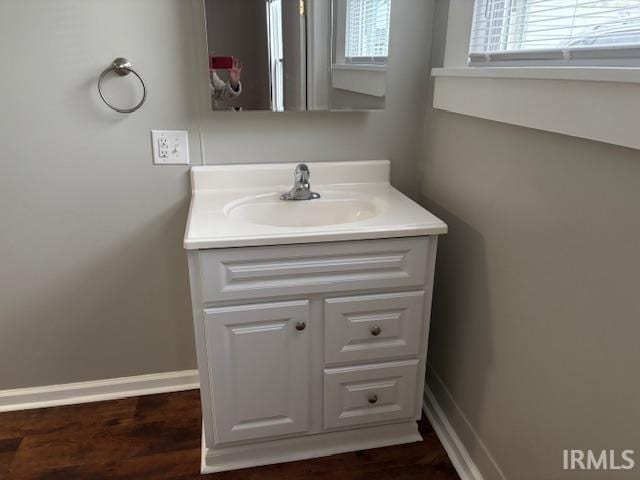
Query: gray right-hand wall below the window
{"points": [[535, 319]]}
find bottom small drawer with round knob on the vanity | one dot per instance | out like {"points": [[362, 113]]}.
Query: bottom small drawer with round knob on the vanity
{"points": [[369, 393]]}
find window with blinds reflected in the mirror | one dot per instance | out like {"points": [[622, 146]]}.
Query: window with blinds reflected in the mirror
{"points": [[367, 31]]}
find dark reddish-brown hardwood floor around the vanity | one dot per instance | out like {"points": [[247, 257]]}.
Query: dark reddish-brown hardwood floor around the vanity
{"points": [[158, 437]]}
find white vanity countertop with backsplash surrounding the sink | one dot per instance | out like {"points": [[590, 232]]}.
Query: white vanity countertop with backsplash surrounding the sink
{"points": [[216, 187]]}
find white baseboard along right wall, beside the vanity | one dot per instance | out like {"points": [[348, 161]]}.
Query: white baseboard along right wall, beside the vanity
{"points": [[455, 448]]}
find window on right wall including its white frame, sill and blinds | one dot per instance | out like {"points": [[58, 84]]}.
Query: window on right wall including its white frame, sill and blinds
{"points": [[563, 60]]}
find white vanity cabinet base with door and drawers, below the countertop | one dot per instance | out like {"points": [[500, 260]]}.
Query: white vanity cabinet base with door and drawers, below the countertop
{"points": [[311, 349]]}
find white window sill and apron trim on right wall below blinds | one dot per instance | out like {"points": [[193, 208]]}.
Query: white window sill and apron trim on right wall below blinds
{"points": [[588, 102]]}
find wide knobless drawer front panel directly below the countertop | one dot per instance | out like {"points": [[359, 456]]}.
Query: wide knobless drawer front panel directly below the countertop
{"points": [[239, 273]]}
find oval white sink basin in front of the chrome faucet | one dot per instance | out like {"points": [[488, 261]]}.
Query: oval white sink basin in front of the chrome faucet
{"points": [[330, 209]]}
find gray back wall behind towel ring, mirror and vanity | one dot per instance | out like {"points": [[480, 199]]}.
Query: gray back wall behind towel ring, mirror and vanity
{"points": [[93, 280]]}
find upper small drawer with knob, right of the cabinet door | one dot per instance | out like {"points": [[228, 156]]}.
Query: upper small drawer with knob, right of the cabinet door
{"points": [[372, 327]]}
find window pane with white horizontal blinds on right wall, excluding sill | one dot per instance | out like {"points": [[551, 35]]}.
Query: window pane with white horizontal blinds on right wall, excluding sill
{"points": [[555, 32]]}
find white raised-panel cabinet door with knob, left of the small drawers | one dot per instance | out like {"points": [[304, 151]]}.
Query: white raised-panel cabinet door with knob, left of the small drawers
{"points": [[259, 369]]}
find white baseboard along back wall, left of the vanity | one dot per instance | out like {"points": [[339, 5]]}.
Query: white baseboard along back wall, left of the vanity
{"points": [[97, 391]]}
